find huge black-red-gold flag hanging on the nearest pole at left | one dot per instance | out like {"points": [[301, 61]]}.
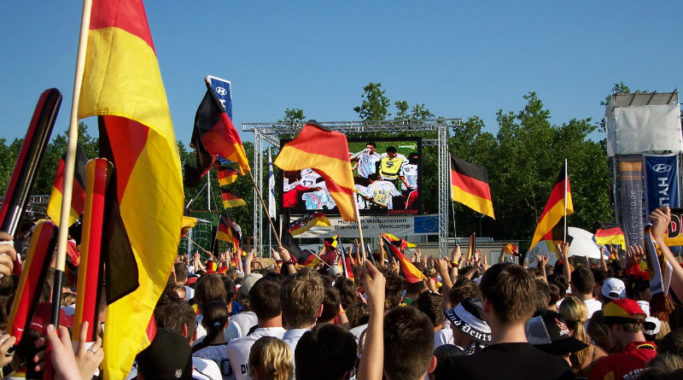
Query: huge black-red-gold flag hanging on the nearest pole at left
{"points": [[122, 84]]}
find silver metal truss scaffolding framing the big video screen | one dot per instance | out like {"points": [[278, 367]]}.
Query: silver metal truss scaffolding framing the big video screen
{"points": [[272, 132]]}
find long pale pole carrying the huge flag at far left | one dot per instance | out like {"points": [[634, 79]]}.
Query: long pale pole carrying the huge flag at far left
{"points": [[70, 163]]}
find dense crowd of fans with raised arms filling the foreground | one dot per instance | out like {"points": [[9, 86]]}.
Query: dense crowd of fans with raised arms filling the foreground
{"points": [[465, 320]]}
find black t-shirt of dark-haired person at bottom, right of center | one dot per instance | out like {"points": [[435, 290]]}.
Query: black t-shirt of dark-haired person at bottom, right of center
{"points": [[508, 361]]}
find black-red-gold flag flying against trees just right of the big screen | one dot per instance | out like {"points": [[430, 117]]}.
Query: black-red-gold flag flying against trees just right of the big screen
{"points": [[470, 186]]}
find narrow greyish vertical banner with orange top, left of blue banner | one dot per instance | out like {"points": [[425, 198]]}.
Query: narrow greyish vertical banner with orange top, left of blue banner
{"points": [[631, 183]]}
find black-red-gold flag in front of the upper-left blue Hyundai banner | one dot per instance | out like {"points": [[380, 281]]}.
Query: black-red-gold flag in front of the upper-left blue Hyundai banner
{"points": [[214, 134]]}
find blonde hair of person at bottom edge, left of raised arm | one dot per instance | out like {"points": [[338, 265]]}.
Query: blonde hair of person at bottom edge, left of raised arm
{"points": [[272, 357]]}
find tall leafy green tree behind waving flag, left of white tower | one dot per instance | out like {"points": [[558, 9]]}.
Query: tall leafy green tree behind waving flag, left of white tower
{"points": [[527, 160]]}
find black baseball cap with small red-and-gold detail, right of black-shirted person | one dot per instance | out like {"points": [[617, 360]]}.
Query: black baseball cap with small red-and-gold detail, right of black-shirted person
{"points": [[549, 333]]}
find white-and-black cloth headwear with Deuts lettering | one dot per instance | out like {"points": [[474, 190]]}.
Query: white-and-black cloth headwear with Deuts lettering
{"points": [[468, 317]]}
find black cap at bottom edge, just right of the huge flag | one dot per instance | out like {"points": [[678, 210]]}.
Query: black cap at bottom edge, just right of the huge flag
{"points": [[169, 356]]}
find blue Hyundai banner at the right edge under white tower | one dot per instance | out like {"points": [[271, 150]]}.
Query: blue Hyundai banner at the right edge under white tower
{"points": [[661, 179]]}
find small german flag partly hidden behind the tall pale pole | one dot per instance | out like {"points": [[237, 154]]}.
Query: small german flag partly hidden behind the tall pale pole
{"points": [[54, 207]]}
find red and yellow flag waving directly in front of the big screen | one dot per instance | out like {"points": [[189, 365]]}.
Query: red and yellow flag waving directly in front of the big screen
{"points": [[328, 153]]}
